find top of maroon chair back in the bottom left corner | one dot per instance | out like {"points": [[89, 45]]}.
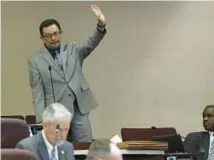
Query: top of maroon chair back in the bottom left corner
{"points": [[14, 154]]}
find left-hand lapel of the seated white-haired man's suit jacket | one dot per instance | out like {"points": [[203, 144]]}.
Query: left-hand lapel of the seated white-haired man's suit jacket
{"points": [[42, 150]]}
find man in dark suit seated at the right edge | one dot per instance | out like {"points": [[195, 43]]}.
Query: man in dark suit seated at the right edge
{"points": [[204, 139]]}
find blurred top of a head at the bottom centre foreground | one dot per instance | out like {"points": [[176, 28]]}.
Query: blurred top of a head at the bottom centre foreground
{"points": [[103, 150]]}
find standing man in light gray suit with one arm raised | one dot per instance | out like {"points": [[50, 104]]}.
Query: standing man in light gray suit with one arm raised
{"points": [[62, 63]]}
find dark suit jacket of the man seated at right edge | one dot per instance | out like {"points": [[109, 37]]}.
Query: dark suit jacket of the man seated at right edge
{"points": [[203, 139]]}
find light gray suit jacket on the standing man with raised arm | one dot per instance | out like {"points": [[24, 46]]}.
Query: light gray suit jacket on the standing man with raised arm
{"points": [[63, 81]]}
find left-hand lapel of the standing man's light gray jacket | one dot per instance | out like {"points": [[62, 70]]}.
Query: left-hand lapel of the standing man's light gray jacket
{"points": [[49, 59]]}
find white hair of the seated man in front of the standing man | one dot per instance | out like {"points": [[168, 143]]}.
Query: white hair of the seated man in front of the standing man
{"points": [[54, 111]]}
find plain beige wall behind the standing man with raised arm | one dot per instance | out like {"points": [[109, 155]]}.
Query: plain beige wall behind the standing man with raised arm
{"points": [[154, 67]]}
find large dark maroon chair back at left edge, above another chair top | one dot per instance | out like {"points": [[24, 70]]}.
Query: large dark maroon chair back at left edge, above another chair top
{"points": [[13, 131]]}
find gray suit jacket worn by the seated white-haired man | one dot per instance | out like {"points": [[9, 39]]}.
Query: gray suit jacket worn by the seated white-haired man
{"points": [[37, 145]]}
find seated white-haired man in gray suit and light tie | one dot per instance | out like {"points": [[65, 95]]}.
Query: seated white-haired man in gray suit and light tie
{"points": [[50, 143]]}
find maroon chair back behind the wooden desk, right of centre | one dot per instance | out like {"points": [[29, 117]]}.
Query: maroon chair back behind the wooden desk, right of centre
{"points": [[144, 134]]}
